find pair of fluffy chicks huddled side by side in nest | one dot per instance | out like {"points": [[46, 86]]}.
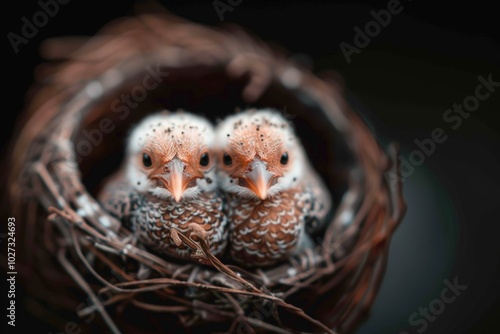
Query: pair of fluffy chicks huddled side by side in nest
{"points": [[247, 182]]}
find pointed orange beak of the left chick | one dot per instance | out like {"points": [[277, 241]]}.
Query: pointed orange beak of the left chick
{"points": [[176, 179]]}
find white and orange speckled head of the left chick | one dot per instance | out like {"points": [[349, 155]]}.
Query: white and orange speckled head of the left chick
{"points": [[170, 156]]}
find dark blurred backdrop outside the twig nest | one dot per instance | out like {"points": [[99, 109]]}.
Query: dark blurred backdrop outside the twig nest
{"points": [[424, 61]]}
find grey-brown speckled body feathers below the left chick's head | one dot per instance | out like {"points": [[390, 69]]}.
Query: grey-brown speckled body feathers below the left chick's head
{"points": [[152, 218]]}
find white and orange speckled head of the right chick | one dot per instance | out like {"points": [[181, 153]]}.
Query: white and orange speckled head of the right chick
{"points": [[259, 155]]}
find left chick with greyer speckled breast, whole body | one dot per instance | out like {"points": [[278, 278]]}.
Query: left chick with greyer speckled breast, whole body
{"points": [[168, 181]]}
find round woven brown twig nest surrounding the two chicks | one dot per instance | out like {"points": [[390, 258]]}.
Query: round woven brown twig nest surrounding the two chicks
{"points": [[83, 266]]}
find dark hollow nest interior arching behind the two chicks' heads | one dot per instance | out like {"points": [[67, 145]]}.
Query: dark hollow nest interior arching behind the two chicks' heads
{"points": [[212, 93]]}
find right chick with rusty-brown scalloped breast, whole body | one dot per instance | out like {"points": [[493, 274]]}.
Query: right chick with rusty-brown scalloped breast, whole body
{"points": [[272, 191]]}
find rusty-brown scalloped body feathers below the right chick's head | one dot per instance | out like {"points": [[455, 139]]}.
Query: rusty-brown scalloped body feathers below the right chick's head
{"points": [[263, 232]]}
